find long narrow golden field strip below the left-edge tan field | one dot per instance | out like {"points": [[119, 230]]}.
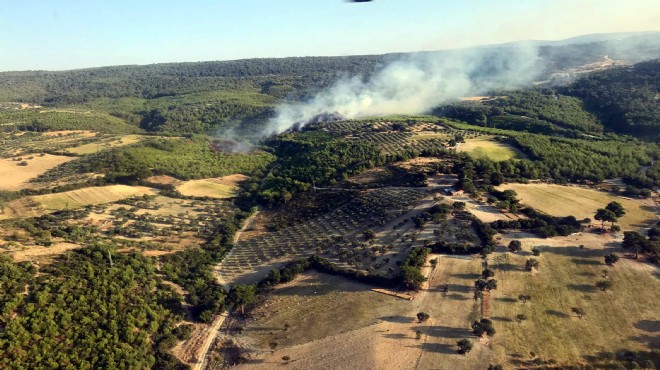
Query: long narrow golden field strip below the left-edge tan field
{"points": [[87, 196]]}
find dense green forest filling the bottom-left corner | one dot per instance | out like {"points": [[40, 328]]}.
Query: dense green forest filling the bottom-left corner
{"points": [[93, 308]]}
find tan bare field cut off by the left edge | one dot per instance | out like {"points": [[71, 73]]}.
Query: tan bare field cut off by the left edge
{"points": [[14, 177]]}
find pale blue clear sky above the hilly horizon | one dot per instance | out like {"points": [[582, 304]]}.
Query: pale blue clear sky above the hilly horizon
{"points": [[66, 34]]}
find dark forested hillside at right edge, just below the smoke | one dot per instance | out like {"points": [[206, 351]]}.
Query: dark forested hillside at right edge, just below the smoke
{"points": [[623, 100]]}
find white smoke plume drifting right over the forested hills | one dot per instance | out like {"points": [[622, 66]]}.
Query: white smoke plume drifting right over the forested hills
{"points": [[416, 84]]}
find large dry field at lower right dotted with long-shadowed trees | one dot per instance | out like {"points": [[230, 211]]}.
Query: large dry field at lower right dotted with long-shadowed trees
{"points": [[623, 318]]}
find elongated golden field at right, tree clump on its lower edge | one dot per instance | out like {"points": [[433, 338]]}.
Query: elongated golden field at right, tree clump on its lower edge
{"points": [[559, 200]]}
